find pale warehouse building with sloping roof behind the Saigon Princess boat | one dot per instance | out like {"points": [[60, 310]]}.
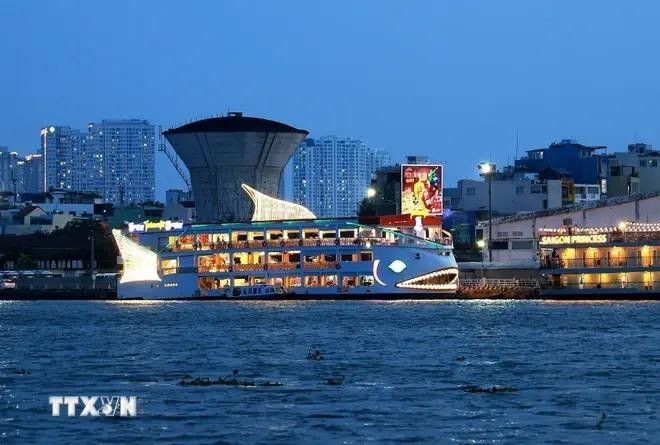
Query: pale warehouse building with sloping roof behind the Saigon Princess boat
{"points": [[515, 238]]}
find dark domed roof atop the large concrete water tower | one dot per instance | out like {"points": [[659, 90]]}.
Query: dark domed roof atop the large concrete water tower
{"points": [[234, 122]]}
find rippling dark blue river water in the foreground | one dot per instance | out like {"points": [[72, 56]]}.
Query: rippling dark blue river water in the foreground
{"points": [[570, 362]]}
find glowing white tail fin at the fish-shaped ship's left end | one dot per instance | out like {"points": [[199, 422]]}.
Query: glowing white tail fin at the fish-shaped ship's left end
{"points": [[140, 263]]}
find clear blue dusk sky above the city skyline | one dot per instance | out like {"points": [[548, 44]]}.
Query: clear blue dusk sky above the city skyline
{"points": [[451, 80]]}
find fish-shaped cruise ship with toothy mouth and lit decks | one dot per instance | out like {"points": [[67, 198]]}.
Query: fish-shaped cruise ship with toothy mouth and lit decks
{"points": [[285, 252]]}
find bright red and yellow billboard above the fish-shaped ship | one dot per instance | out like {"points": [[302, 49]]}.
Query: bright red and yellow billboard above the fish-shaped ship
{"points": [[421, 189]]}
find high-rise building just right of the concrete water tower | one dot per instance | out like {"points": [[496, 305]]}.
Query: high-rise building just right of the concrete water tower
{"points": [[331, 175]]}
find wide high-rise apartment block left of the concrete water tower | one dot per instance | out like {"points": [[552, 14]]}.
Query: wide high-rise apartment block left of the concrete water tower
{"points": [[114, 159]]}
